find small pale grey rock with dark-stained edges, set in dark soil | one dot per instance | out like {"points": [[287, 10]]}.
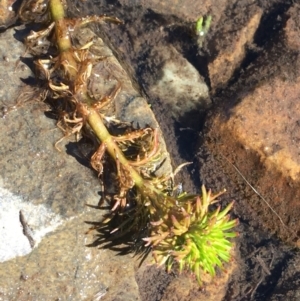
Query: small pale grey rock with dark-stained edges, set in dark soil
{"points": [[177, 83]]}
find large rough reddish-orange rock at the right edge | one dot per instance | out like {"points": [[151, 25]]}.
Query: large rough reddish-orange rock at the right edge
{"points": [[260, 136]]}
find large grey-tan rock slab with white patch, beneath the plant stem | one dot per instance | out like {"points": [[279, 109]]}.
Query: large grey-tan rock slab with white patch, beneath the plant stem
{"points": [[44, 253]]}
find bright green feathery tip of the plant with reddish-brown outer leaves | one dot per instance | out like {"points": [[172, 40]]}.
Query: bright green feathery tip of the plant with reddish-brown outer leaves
{"points": [[193, 235]]}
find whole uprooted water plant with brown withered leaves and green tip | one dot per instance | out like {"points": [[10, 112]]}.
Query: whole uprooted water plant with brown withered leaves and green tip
{"points": [[176, 228]]}
